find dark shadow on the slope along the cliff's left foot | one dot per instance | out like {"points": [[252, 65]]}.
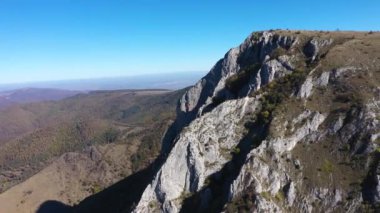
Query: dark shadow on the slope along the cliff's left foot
{"points": [[124, 195]]}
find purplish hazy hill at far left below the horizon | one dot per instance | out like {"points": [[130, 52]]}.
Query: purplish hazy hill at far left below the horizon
{"points": [[27, 95]]}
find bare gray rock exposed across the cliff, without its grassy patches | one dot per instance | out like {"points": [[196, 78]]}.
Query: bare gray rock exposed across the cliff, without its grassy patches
{"points": [[215, 129]]}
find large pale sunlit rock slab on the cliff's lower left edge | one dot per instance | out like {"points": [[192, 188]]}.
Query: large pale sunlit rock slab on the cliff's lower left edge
{"points": [[202, 149]]}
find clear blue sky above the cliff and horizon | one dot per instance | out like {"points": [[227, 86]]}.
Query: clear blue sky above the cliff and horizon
{"points": [[68, 39]]}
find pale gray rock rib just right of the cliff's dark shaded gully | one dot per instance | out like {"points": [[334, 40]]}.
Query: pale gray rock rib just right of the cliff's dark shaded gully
{"points": [[264, 177]]}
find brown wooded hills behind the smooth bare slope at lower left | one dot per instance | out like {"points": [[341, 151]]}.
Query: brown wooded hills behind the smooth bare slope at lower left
{"points": [[50, 129]]}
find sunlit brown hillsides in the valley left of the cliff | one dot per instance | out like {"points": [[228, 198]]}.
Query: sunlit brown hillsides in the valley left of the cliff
{"points": [[81, 145]]}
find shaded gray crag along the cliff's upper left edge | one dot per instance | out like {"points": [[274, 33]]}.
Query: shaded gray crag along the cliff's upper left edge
{"points": [[254, 50]]}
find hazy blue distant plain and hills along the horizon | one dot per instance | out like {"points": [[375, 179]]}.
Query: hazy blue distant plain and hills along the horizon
{"points": [[58, 90]]}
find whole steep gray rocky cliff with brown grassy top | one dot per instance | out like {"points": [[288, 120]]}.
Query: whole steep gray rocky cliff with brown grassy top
{"points": [[287, 121]]}
